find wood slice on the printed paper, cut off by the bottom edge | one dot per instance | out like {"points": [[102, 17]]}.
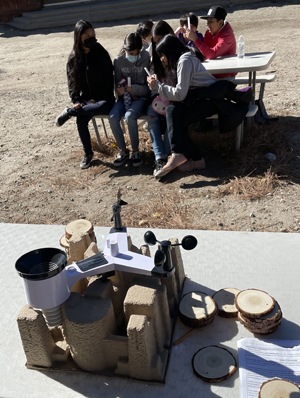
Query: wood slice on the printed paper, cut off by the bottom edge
{"points": [[279, 388]]}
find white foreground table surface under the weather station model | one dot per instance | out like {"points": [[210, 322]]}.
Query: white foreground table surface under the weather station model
{"points": [[266, 261]]}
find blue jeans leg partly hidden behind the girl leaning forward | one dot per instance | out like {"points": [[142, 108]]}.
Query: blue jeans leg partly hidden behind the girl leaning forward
{"points": [[161, 148]]}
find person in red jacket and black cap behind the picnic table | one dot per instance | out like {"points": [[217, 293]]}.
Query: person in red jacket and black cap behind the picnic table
{"points": [[219, 38]]}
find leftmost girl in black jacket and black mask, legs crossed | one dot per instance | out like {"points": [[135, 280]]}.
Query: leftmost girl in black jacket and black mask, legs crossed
{"points": [[91, 84]]}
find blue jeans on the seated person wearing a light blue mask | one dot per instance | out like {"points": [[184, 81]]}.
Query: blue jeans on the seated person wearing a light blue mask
{"points": [[134, 112]]}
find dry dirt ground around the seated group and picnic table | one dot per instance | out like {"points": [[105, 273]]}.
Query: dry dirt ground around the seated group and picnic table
{"points": [[41, 181]]}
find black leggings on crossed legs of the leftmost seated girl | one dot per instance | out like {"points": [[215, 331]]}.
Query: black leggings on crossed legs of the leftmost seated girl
{"points": [[84, 115]]}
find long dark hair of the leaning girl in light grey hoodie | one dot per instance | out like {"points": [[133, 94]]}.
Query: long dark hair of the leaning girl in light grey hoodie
{"points": [[173, 48]]}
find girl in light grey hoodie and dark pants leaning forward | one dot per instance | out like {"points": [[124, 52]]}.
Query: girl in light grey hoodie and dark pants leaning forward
{"points": [[190, 74]]}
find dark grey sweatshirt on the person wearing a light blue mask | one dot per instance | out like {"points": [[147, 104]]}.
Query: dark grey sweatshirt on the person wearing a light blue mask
{"points": [[135, 70]]}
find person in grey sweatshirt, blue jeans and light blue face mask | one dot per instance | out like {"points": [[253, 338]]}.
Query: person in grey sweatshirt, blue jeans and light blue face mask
{"points": [[132, 90]]}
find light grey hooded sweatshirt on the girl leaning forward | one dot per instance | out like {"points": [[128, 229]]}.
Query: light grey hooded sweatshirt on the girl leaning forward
{"points": [[190, 74]]}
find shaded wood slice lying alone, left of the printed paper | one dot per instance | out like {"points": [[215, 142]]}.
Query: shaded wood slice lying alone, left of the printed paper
{"points": [[213, 364]]}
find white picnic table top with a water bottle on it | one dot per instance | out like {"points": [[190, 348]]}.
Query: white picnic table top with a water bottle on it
{"points": [[251, 62]]}
